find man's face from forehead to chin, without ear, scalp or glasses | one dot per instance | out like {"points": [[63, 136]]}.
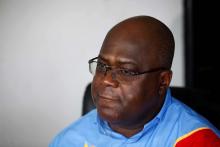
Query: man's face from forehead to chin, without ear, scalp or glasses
{"points": [[126, 102]]}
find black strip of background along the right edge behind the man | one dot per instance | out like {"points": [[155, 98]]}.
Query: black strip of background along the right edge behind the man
{"points": [[201, 57]]}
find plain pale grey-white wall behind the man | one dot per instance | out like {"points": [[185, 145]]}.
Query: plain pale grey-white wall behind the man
{"points": [[44, 49]]}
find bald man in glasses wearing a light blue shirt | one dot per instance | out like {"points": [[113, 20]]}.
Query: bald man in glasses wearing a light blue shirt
{"points": [[132, 74]]}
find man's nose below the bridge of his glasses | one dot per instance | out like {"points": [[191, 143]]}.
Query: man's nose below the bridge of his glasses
{"points": [[110, 79]]}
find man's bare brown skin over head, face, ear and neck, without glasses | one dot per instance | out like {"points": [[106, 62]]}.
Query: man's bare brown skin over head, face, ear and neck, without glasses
{"points": [[139, 44]]}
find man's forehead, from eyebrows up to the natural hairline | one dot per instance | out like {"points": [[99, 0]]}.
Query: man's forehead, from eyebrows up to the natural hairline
{"points": [[128, 50]]}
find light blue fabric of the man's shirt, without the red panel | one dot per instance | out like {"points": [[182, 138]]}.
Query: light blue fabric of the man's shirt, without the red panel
{"points": [[174, 120]]}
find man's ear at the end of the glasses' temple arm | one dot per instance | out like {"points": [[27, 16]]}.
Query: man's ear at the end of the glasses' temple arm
{"points": [[165, 79]]}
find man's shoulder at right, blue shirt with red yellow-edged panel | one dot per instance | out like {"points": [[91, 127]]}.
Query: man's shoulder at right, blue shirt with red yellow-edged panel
{"points": [[193, 129]]}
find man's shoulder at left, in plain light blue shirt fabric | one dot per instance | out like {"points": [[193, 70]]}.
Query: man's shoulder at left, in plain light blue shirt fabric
{"points": [[77, 131]]}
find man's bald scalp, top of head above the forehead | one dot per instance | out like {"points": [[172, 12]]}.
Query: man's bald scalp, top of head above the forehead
{"points": [[152, 39]]}
